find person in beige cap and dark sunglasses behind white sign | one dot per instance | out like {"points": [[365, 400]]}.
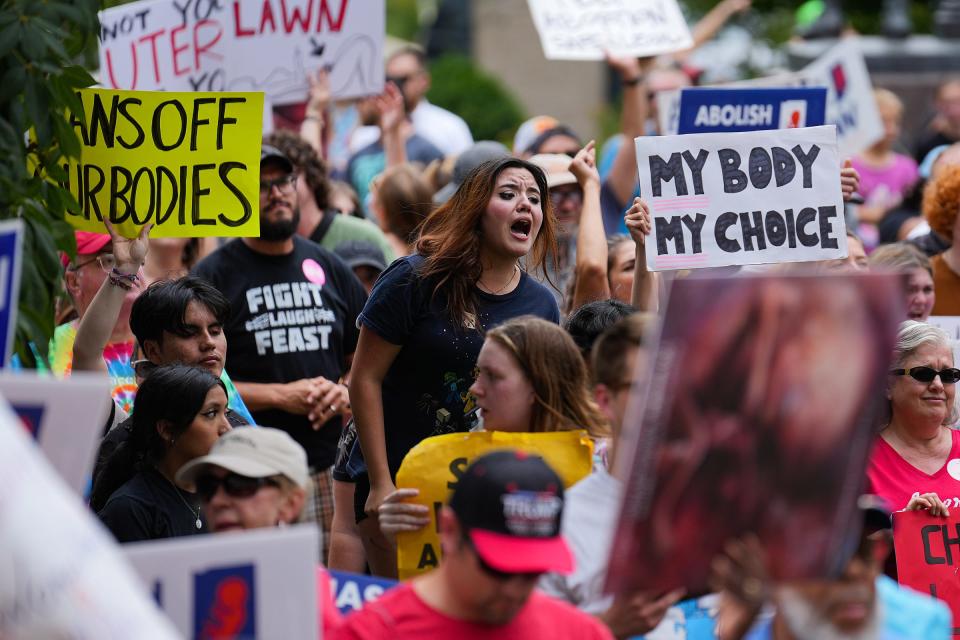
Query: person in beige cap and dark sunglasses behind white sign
{"points": [[252, 479]]}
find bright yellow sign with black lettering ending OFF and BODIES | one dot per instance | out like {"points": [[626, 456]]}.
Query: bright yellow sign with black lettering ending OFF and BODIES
{"points": [[187, 162]]}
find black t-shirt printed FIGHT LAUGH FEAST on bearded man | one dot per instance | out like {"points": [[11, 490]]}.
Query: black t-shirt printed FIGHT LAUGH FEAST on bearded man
{"points": [[293, 317]]}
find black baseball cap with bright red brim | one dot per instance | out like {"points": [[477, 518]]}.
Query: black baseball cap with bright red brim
{"points": [[510, 503]]}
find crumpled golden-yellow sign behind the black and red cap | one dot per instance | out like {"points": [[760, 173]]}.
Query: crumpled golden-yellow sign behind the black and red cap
{"points": [[435, 465]]}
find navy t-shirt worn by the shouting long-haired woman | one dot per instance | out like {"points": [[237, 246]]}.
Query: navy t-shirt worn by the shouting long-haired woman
{"points": [[425, 390]]}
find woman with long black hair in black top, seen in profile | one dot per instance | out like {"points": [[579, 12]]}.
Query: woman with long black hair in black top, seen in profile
{"points": [[178, 414]]}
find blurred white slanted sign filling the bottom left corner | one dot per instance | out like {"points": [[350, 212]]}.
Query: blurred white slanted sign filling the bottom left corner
{"points": [[61, 574]]}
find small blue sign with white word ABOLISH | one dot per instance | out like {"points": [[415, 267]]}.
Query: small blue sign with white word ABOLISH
{"points": [[711, 110]]}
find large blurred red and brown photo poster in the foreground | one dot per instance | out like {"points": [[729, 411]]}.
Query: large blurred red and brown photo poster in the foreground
{"points": [[762, 400]]}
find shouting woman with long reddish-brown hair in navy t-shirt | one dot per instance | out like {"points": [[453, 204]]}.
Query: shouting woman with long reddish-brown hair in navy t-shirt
{"points": [[423, 326]]}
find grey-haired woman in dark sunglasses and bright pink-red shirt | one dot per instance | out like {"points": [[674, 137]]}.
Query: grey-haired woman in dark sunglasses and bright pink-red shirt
{"points": [[916, 459]]}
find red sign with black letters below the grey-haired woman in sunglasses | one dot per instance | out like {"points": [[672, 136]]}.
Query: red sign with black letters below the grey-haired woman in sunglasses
{"points": [[927, 549]]}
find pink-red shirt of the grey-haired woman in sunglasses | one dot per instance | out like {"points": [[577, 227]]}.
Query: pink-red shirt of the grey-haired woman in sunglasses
{"points": [[896, 480]]}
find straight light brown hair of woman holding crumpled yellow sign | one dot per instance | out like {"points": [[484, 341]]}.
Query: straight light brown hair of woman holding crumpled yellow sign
{"points": [[556, 371]]}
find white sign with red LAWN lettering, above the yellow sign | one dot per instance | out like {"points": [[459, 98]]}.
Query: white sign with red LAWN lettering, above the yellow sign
{"points": [[244, 45]]}
